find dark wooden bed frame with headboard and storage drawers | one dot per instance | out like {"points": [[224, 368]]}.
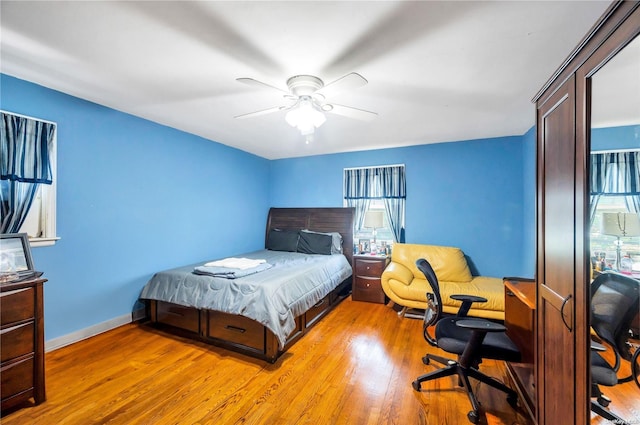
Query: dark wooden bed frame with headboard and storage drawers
{"points": [[245, 335]]}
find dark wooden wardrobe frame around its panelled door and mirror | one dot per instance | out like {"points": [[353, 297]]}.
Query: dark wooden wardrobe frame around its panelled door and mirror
{"points": [[618, 27]]}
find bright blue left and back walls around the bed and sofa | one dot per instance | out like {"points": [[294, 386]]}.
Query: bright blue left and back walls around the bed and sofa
{"points": [[135, 197]]}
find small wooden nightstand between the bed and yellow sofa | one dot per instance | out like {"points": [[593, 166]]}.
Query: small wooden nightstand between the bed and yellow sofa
{"points": [[367, 270]]}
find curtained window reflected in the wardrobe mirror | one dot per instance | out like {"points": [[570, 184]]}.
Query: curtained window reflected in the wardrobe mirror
{"points": [[615, 210]]}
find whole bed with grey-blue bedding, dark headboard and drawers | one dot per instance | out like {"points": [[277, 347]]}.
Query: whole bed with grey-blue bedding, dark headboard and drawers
{"points": [[270, 302]]}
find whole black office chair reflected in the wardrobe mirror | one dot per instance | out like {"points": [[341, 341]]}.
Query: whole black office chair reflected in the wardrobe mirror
{"points": [[615, 302]]}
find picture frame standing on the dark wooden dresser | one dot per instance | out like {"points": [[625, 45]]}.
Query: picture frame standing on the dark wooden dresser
{"points": [[15, 257]]}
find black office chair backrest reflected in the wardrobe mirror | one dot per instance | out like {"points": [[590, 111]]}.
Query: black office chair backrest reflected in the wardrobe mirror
{"points": [[615, 301]]}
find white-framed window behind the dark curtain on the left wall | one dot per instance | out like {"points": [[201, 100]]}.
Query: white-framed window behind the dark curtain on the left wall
{"points": [[40, 222]]}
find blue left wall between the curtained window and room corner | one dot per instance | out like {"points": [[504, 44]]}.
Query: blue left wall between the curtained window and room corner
{"points": [[134, 197]]}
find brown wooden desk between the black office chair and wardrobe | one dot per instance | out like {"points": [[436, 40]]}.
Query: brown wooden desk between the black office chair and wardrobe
{"points": [[519, 318]]}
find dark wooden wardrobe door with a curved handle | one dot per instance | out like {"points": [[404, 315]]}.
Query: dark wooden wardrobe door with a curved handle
{"points": [[560, 373]]}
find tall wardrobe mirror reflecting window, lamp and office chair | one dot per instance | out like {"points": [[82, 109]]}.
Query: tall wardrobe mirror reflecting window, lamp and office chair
{"points": [[614, 228]]}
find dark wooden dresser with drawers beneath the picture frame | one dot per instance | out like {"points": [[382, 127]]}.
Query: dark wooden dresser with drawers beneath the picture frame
{"points": [[21, 343]]}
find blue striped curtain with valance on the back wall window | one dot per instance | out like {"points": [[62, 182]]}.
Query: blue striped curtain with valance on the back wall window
{"points": [[387, 183]]}
